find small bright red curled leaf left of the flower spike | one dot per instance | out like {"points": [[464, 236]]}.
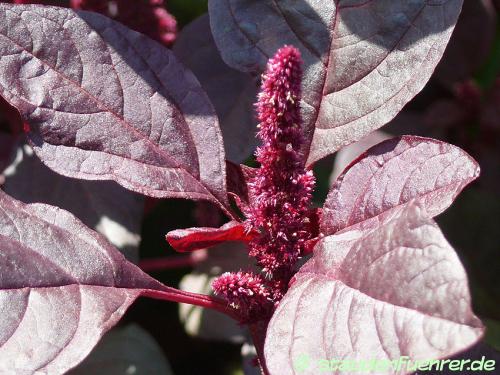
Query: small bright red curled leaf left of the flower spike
{"points": [[191, 239]]}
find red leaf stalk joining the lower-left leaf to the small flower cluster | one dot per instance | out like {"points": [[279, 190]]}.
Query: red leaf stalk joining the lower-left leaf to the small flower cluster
{"points": [[180, 296]]}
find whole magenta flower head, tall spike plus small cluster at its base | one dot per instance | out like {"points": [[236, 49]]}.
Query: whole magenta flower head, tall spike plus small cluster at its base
{"points": [[280, 194]]}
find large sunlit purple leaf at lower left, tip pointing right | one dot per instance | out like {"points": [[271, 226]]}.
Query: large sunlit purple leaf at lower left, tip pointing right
{"points": [[61, 287]]}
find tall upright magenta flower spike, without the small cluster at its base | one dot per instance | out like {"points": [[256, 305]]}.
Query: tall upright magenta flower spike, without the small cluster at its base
{"points": [[282, 187]]}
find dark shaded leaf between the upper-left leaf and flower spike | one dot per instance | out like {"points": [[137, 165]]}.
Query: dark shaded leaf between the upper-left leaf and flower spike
{"points": [[232, 92]]}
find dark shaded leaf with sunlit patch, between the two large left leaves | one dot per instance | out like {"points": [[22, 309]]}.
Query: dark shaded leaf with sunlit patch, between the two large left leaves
{"points": [[102, 205]]}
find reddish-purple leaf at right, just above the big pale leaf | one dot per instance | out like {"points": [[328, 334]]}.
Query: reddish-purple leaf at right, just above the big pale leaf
{"points": [[393, 173]]}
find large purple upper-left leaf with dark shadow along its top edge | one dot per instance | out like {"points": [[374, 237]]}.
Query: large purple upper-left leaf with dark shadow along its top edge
{"points": [[105, 102]]}
